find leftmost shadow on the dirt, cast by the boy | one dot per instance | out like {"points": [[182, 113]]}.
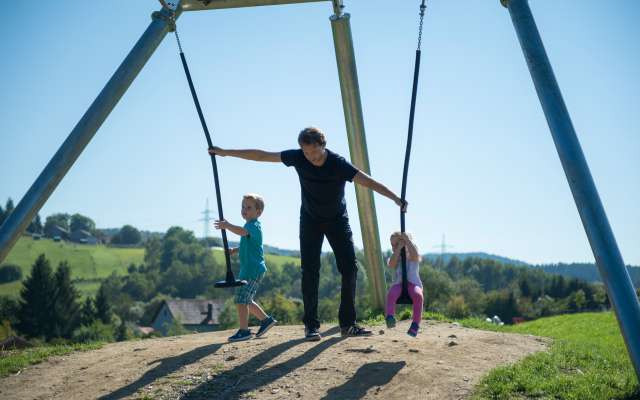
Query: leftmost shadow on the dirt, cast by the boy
{"points": [[165, 367]]}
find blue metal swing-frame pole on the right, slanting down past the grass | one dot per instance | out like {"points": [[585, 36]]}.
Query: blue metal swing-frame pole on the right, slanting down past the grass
{"points": [[603, 244]]}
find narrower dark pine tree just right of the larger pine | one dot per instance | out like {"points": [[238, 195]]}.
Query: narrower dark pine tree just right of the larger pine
{"points": [[66, 310]]}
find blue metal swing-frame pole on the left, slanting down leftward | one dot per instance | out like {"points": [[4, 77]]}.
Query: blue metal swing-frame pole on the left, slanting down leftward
{"points": [[83, 132]]}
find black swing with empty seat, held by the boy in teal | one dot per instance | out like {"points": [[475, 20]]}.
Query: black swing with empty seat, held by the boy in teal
{"points": [[230, 279]]}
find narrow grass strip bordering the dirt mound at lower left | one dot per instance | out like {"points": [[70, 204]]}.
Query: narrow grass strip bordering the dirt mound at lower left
{"points": [[13, 361]]}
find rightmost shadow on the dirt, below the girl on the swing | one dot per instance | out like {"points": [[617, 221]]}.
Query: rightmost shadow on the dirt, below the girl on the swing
{"points": [[369, 375]]}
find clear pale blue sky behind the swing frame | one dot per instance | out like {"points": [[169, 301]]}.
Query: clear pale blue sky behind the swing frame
{"points": [[484, 169]]}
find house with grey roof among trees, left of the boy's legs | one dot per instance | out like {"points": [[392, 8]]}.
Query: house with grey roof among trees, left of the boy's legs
{"points": [[194, 315]]}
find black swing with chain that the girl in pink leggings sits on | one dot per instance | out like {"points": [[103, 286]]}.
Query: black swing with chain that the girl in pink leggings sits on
{"points": [[404, 297]]}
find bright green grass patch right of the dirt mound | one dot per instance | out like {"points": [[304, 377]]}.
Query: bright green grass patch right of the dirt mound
{"points": [[587, 360]]}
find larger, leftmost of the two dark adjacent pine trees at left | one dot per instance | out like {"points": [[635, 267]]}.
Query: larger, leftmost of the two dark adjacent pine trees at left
{"points": [[36, 306]]}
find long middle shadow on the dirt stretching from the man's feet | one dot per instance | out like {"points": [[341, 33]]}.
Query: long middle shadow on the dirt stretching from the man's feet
{"points": [[244, 378]]}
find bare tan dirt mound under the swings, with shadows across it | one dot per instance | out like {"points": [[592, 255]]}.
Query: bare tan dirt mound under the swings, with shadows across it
{"points": [[445, 361]]}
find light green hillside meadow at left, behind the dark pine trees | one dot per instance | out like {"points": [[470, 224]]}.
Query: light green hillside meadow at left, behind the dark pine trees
{"points": [[87, 262]]}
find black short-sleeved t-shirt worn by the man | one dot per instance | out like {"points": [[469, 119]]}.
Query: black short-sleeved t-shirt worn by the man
{"points": [[322, 188]]}
